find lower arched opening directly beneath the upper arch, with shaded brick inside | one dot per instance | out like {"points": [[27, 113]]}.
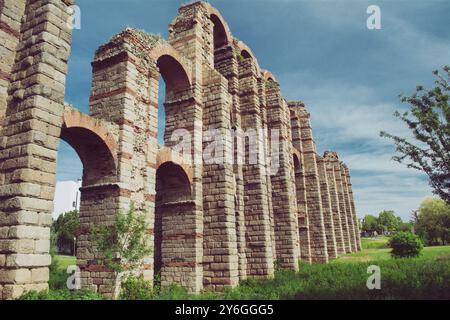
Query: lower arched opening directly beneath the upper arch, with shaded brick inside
{"points": [[174, 222]]}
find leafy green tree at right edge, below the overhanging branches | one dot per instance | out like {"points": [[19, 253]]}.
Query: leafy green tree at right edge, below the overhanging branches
{"points": [[433, 221]]}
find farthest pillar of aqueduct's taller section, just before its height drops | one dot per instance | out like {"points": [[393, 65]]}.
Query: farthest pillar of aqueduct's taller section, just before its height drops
{"points": [[319, 251]]}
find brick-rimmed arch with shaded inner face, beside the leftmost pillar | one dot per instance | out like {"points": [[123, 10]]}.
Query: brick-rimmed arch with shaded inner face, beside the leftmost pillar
{"points": [[98, 150]]}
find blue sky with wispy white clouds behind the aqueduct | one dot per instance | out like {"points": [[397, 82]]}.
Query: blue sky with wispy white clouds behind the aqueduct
{"points": [[322, 53]]}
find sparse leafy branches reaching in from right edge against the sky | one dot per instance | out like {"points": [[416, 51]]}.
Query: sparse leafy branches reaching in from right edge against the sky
{"points": [[428, 119]]}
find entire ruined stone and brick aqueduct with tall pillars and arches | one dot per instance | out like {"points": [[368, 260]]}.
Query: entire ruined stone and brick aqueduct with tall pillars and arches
{"points": [[213, 222]]}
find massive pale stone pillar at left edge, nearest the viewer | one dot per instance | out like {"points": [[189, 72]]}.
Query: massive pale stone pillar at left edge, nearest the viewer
{"points": [[29, 137]]}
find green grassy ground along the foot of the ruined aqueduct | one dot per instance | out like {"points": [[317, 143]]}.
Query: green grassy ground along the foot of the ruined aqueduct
{"points": [[424, 277]]}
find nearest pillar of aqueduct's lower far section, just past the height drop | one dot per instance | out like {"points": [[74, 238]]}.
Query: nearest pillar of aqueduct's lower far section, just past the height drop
{"points": [[327, 209]]}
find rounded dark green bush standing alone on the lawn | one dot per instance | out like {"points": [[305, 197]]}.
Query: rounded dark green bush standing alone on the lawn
{"points": [[405, 245]]}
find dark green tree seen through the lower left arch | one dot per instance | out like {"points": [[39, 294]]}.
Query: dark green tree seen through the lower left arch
{"points": [[64, 231]]}
